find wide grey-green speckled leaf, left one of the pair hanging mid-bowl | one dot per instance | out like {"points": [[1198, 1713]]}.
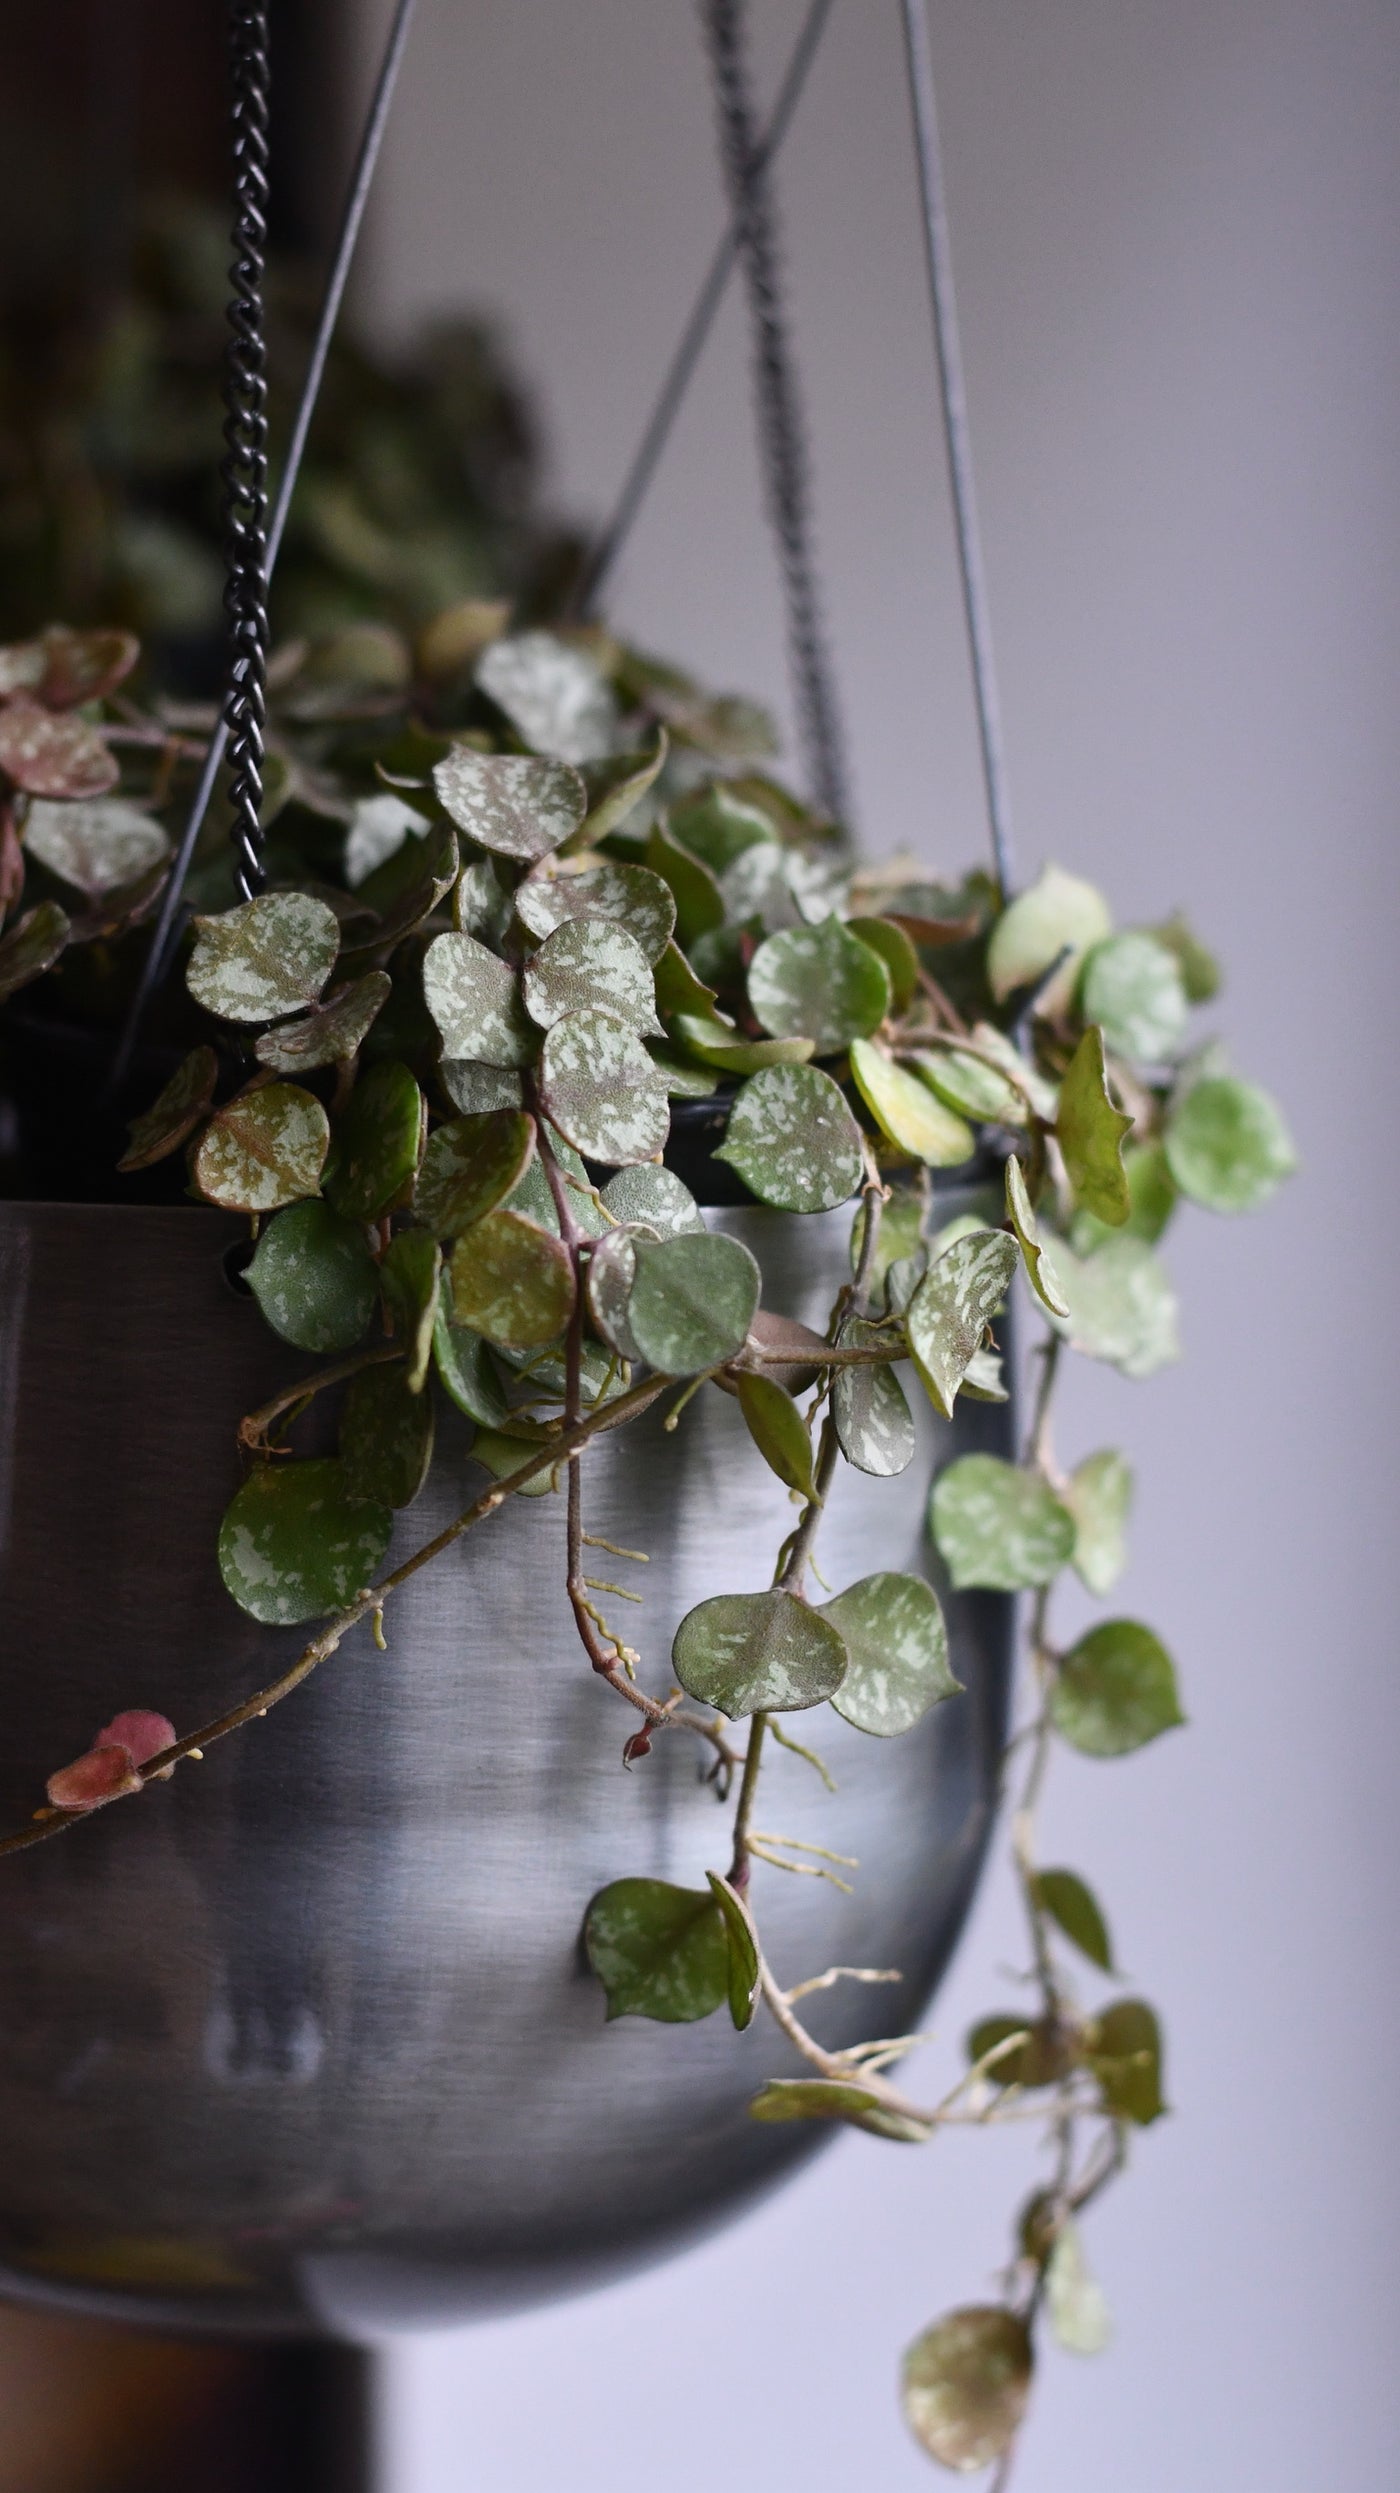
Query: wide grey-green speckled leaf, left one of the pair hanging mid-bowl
{"points": [[759, 1654]]}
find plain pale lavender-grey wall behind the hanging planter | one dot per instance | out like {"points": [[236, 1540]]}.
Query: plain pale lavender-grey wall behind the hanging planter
{"points": [[1177, 241]]}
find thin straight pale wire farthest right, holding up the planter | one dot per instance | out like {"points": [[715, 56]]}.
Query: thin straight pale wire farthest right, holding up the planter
{"points": [[953, 395]]}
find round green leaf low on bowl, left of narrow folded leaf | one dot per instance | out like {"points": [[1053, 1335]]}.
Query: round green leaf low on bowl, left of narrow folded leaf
{"points": [[659, 1951]]}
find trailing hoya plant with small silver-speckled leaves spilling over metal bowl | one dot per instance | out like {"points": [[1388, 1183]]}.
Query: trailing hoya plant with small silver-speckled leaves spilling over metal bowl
{"points": [[527, 894]]}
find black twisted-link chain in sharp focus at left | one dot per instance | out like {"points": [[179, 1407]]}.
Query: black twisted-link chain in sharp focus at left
{"points": [[245, 435]]}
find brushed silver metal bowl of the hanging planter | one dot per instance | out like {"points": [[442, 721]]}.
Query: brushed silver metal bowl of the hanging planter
{"points": [[305, 2041]]}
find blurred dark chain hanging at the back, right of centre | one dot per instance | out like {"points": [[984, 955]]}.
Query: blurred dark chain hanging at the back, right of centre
{"points": [[778, 405]]}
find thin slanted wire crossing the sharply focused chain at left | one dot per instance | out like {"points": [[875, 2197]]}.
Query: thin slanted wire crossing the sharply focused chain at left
{"points": [[352, 216]]}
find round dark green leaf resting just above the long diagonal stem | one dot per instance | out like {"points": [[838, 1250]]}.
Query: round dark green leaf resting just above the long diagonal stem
{"points": [[295, 1544]]}
